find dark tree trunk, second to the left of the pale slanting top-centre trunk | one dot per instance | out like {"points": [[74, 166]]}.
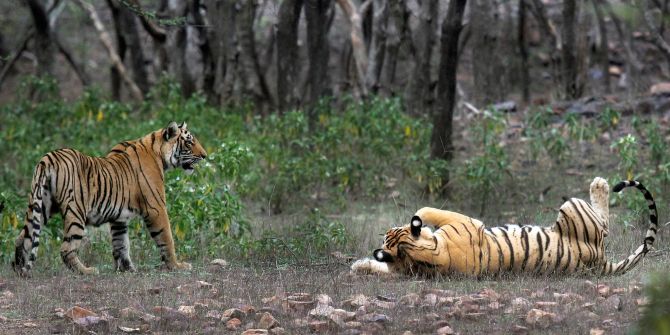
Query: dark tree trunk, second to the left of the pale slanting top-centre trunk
{"points": [[287, 53]]}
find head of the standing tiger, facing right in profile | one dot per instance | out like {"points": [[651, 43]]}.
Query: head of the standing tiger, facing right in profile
{"points": [[180, 148]]}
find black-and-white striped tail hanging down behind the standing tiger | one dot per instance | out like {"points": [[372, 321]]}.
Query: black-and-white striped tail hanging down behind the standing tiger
{"points": [[36, 217]]}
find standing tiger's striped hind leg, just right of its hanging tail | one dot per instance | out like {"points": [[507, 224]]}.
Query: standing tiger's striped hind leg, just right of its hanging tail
{"points": [[74, 233]]}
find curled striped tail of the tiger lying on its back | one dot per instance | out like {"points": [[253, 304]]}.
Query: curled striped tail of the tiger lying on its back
{"points": [[632, 260]]}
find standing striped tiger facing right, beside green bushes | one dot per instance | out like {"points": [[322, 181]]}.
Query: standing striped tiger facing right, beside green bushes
{"points": [[126, 183]]}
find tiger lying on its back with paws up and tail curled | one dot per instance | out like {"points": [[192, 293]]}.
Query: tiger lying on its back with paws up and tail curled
{"points": [[461, 244]]}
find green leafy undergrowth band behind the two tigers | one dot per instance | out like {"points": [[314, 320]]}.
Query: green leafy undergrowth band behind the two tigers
{"points": [[276, 168]]}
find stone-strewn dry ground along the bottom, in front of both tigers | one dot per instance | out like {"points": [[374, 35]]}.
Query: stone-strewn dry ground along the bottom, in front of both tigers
{"points": [[319, 298]]}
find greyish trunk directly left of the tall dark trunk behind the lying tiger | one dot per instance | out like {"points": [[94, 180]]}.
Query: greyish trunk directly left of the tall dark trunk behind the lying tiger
{"points": [[419, 96]]}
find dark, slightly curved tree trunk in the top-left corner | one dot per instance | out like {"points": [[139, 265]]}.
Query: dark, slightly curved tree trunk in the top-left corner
{"points": [[44, 48]]}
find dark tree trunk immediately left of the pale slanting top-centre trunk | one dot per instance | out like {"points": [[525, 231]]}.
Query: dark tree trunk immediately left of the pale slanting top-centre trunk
{"points": [[317, 14]]}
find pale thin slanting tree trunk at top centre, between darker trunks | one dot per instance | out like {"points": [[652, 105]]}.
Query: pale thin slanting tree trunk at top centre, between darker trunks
{"points": [[357, 42]]}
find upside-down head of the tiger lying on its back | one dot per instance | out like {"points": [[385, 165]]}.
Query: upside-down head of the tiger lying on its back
{"points": [[403, 246]]}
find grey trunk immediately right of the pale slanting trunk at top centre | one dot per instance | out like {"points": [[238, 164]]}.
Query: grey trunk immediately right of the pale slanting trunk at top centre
{"points": [[377, 49]]}
